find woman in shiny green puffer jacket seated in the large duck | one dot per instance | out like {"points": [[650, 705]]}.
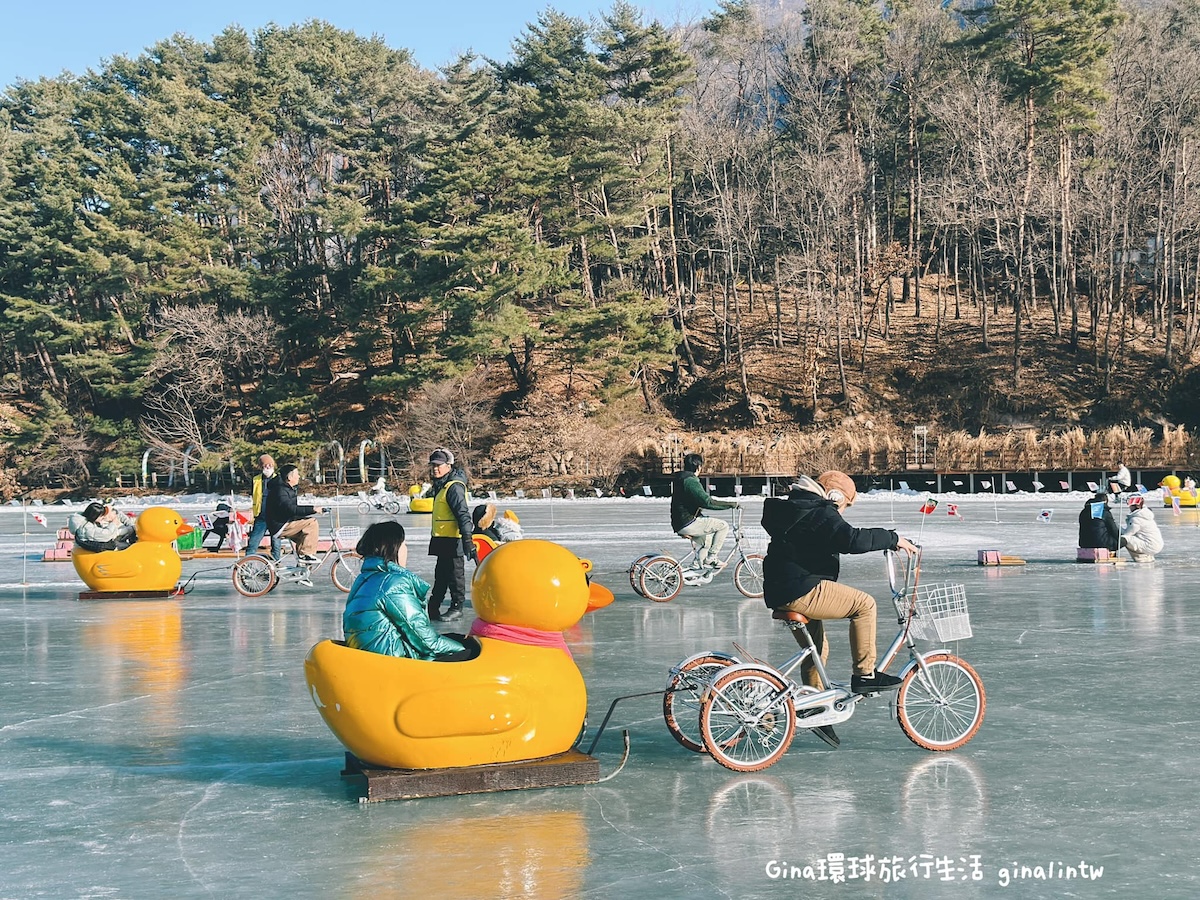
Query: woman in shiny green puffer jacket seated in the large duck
{"points": [[386, 610]]}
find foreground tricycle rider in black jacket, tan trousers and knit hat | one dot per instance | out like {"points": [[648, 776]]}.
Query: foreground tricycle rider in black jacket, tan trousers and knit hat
{"points": [[808, 536]]}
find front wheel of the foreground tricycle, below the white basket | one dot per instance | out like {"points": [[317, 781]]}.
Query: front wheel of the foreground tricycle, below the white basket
{"points": [[945, 710]]}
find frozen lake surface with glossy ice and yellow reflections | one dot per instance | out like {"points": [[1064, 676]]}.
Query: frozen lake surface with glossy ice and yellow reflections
{"points": [[170, 748]]}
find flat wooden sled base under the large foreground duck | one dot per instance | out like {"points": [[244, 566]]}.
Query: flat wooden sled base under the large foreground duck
{"points": [[382, 784]]}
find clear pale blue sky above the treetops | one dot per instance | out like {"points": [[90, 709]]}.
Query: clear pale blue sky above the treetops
{"points": [[45, 39]]}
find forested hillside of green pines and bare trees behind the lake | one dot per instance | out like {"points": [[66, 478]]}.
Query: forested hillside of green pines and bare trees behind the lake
{"points": [[787, 235]]}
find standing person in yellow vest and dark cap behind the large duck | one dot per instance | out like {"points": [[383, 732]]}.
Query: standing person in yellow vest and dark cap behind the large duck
{"points": [[451, 537]]}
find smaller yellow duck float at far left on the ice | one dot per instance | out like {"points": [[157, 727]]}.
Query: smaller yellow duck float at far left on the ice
{"points": [[151, 565]]}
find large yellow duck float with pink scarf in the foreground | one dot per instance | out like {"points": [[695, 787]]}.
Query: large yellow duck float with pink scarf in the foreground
{"points": [[523, 698]]}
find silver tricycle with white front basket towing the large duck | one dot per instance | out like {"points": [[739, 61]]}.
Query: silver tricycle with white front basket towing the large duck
{"points": [[749, 711]]}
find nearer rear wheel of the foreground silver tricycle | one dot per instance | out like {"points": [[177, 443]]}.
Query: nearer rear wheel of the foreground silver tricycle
{"points": [[748, 719]]}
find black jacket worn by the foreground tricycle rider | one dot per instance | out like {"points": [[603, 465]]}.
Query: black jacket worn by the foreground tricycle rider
{"points": [[807, 537]]}
